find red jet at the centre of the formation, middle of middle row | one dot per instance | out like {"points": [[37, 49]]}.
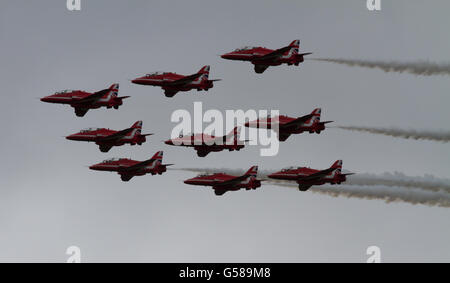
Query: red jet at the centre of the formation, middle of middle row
{"points": [[205, 144]]}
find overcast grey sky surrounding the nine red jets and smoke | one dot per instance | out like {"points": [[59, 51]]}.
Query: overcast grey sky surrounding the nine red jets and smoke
{"points": [[50, 200]]}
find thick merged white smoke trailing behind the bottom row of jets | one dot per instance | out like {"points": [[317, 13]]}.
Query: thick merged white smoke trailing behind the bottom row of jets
{"points": [[397, 187]]}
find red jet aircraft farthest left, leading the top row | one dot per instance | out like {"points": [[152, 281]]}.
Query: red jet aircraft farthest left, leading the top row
{"points": [[83, 101]]}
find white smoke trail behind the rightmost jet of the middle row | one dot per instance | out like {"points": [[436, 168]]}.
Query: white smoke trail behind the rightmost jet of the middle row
{"points": [[399, 133]]}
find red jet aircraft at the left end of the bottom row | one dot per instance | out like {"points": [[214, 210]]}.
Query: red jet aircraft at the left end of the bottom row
{"points": [[128, 168]]}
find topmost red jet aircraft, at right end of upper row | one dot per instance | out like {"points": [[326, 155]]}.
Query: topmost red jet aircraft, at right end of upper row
{"points": [[263, 57]]}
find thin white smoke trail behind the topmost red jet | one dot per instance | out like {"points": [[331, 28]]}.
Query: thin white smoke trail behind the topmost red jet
{"points": [[423, 68]]}
